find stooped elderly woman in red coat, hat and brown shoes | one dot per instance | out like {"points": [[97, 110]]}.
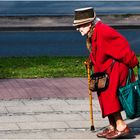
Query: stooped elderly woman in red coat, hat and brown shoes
{"points": [[106, 47]]}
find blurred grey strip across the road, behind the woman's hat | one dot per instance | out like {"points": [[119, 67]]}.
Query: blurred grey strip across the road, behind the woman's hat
{"points": [[63, 22]]}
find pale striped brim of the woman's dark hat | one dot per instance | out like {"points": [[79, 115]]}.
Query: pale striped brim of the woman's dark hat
{"points": [[84, 21]]}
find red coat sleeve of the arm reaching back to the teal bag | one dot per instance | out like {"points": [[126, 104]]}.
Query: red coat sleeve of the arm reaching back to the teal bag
{"points": [[117, 46]]}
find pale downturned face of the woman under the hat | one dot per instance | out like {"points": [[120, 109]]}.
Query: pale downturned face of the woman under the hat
{"points": [[84, 29]]}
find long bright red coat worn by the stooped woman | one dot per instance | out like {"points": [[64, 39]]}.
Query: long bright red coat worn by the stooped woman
{"points": [[109, 45]]}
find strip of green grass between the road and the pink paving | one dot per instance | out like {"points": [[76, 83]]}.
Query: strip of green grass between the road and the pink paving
{"points": [[38, 67]]}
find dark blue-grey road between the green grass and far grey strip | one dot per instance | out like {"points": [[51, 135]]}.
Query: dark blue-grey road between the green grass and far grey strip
{"points": [[53, 43]]}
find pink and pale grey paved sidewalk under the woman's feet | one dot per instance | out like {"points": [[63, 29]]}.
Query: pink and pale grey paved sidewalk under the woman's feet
{"points": [[50, 109]]}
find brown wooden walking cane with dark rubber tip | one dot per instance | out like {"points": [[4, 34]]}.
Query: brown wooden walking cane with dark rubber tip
{"points": [[88, 67]]}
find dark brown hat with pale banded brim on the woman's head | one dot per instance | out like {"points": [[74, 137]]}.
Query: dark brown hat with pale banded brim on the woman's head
{"points": [[83, 16]]}
